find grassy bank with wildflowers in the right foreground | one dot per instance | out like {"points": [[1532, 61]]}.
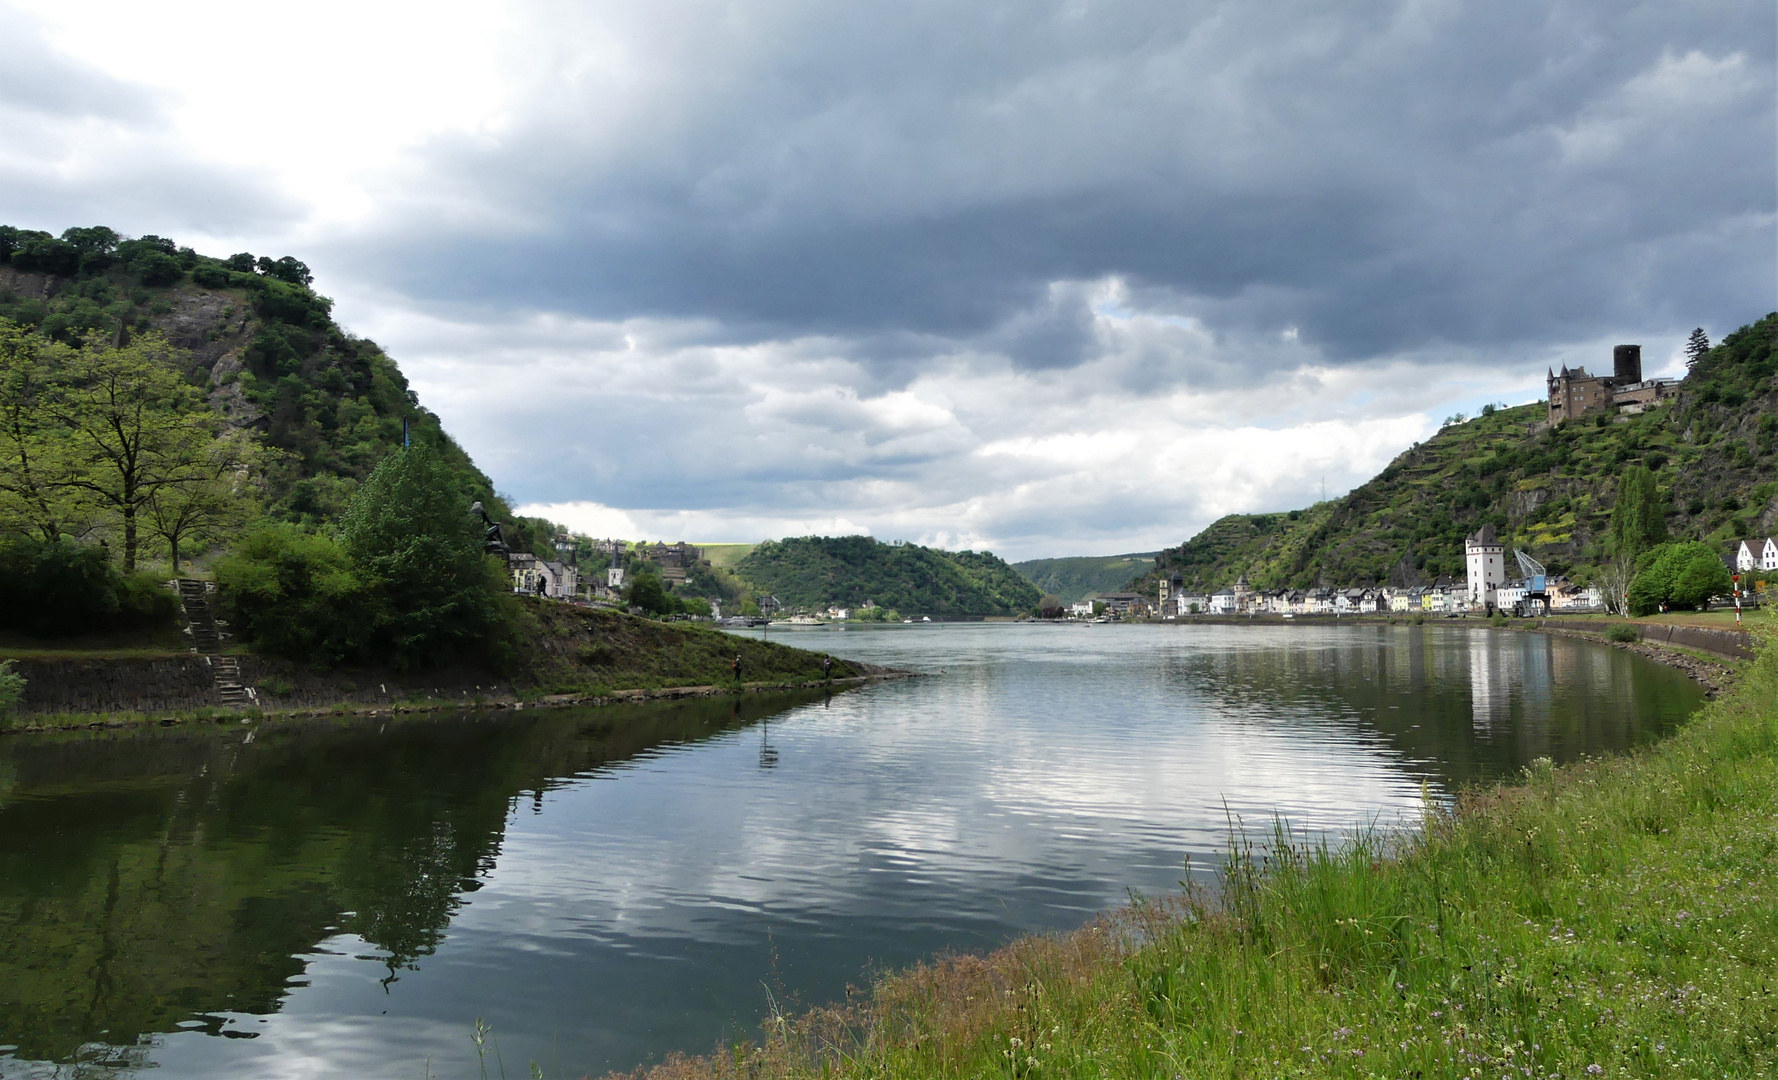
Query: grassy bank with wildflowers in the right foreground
{"points": [[1608, 919]]}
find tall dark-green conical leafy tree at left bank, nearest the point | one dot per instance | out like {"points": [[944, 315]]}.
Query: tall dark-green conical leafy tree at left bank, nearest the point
{"points": [[420, 552]]}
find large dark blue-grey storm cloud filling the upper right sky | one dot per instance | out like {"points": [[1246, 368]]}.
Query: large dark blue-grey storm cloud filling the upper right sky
{"points": [[1381, 177]]}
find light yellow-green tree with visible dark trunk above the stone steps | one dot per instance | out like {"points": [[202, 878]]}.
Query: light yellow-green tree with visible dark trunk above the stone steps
{"points": [[134, 430]]}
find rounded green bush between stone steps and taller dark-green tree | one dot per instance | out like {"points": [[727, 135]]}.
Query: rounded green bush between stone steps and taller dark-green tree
{"points": [[298, 593]]}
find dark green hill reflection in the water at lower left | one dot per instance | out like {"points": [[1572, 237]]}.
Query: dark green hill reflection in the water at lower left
{"points": [[157, 878]]}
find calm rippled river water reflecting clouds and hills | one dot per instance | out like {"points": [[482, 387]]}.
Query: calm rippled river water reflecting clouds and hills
{"points": [[604, 887]]}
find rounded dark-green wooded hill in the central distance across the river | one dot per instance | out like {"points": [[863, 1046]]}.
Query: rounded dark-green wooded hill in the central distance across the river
{"points": [[817, 572]]}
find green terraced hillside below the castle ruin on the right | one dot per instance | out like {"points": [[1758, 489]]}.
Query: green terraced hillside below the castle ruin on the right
{"points": [[1548, 492]]}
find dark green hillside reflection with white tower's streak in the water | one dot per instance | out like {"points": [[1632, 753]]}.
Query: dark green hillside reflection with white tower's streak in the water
{"points": [[1480, 711]]}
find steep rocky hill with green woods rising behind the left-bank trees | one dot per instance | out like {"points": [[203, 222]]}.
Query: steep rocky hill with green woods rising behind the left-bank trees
{"points": [[253, 337]]}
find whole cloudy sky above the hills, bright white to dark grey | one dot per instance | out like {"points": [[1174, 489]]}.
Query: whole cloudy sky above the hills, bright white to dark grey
{"points": [[1052, 278]]}
